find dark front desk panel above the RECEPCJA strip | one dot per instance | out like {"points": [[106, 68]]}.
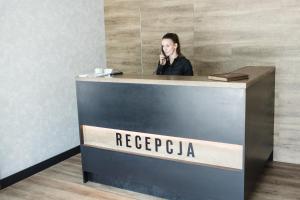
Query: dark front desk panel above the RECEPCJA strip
{"points": [[206, 113]]}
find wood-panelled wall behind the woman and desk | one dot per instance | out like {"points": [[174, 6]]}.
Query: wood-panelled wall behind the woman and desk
{"points": [[217, 36]]}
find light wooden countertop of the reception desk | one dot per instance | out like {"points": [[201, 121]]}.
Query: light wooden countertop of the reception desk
{"points": [[255, 73]]}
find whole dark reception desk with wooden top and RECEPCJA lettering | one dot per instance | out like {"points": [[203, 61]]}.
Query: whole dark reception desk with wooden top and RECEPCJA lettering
{"points": [[177, 137]]}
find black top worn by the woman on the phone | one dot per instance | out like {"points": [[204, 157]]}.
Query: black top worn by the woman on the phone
{"points": [[180, 66]]}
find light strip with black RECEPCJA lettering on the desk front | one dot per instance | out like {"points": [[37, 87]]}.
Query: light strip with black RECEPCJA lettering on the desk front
{"points": [[165, 147]]}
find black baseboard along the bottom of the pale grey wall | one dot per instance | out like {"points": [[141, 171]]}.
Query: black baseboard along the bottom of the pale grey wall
{"points": [[38, 167]]}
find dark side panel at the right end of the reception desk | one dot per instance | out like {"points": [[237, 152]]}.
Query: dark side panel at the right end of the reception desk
{"points": [[259, 129]]}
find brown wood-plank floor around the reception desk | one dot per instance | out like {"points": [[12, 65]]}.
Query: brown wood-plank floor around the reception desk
{"points": [[64, 181]]}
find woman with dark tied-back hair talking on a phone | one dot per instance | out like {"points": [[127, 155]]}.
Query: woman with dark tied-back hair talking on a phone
{"points": [[171, 61]]}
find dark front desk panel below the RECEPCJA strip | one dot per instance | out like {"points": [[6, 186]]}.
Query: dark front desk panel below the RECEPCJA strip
{"points": [[167, 179]]}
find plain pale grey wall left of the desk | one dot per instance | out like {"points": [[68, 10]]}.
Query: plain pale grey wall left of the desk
{"points": [[43, 45]]}
